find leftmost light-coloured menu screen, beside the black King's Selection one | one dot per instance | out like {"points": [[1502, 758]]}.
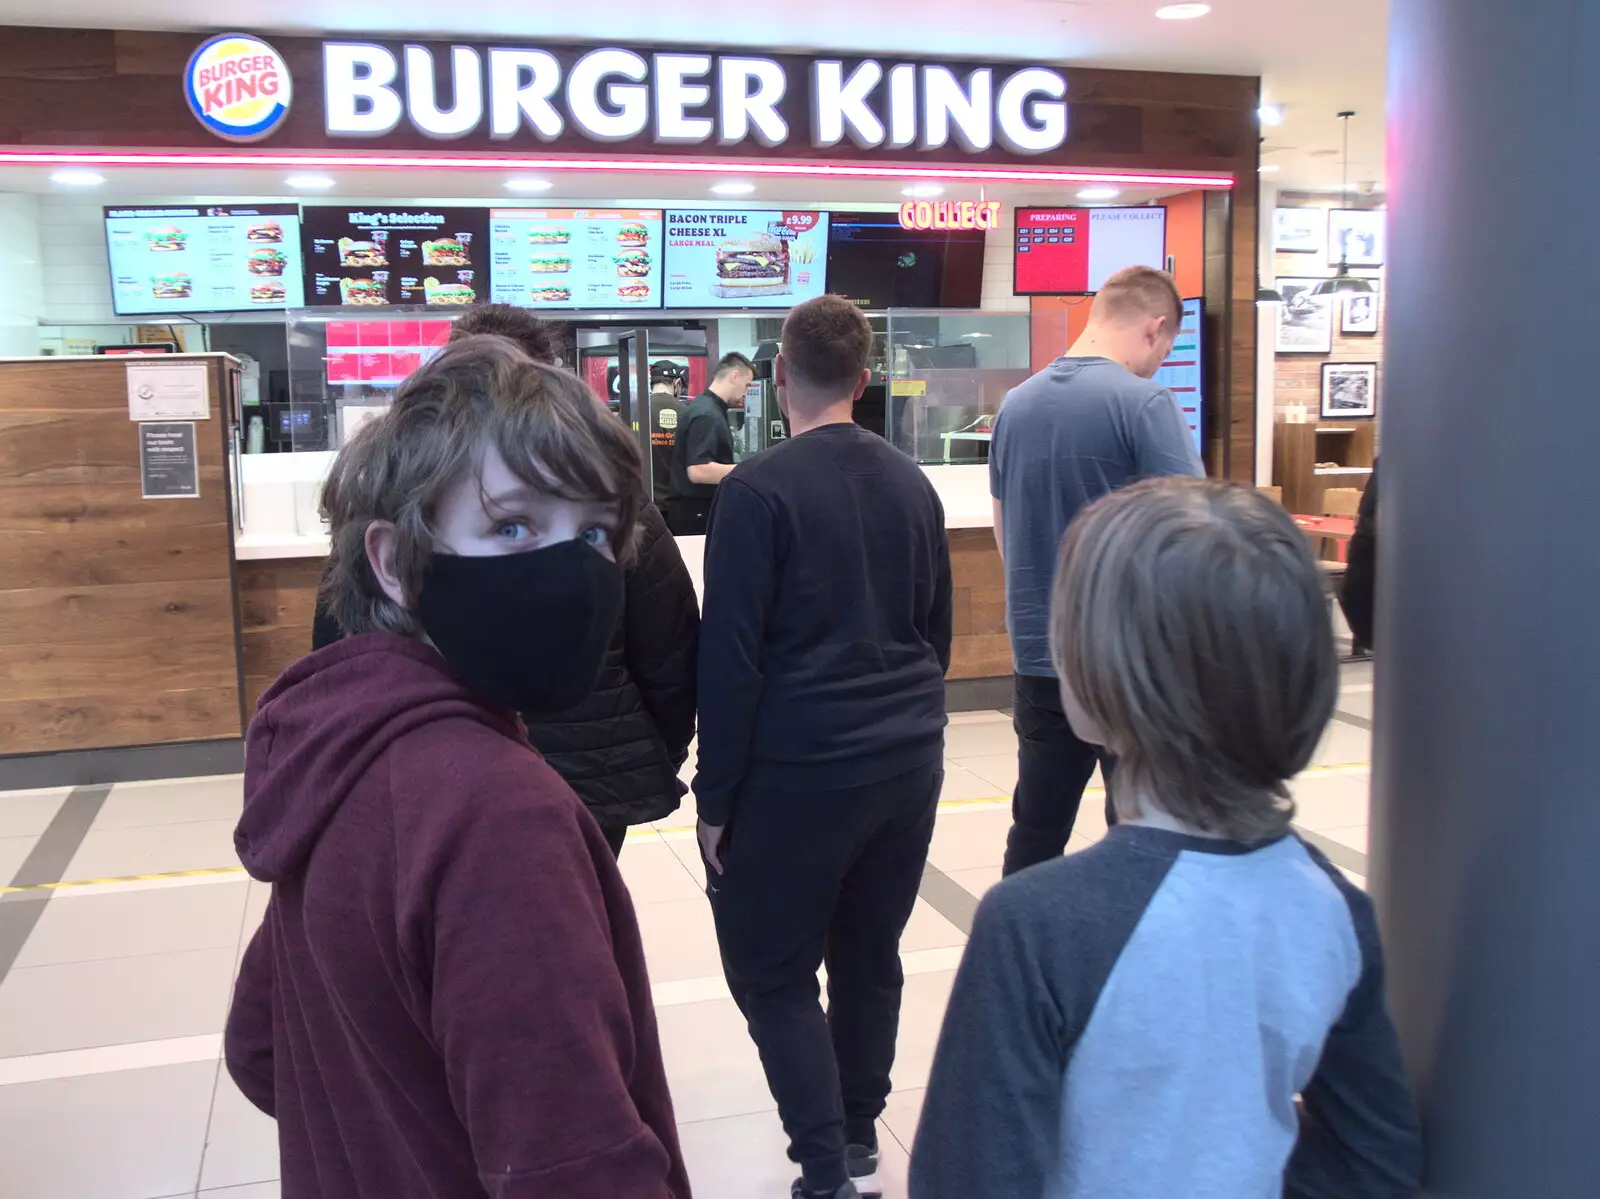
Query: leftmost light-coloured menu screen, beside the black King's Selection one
{"points": [[204, 260]]}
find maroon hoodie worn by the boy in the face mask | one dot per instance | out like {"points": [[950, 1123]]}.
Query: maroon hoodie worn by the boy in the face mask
{"points": [[449, 993]]}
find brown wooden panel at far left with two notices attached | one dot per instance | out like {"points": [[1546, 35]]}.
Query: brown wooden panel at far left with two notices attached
{"points": [[118, 616]]}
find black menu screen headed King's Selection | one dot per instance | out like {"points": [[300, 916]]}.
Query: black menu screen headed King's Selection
{"points": [[369, 257]]}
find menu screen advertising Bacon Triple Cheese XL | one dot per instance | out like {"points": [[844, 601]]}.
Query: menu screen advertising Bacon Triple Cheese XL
{"points": [[735, 259]]}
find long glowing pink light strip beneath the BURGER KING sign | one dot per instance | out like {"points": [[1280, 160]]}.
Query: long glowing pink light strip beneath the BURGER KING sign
{"points": [[634, 166]]}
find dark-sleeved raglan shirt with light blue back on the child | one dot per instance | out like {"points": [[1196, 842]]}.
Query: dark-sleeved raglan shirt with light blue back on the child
{"points": [[1137, 1021]]}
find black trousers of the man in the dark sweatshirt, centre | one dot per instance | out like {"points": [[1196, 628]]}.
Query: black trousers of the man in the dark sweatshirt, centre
{"points": [[814, 878]]}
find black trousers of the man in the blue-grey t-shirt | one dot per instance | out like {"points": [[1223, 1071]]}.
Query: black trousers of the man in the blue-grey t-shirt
{"points": [[1054, 768]]}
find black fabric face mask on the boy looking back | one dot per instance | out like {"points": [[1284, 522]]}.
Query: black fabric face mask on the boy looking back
{"points": [[527, 632]]}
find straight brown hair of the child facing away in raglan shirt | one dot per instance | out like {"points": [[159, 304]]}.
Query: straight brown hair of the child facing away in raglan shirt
{"points": [[1190, 624]]}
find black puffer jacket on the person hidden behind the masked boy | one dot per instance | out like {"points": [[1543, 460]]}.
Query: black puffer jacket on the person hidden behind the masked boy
{"points": [[623, 747]]}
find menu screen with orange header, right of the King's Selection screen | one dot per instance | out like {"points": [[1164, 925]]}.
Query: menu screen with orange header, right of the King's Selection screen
{"points": [[575, 257]]}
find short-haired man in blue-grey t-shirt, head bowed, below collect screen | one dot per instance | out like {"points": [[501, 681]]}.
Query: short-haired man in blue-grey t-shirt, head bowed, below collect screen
{"points": [[1089, 423]]}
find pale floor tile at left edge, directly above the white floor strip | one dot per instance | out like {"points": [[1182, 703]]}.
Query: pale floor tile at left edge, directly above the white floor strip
{"points": [[118, 1001]]}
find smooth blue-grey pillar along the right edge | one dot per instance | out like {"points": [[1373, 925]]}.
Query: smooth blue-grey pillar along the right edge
{"points": [[1487, 788]]}
